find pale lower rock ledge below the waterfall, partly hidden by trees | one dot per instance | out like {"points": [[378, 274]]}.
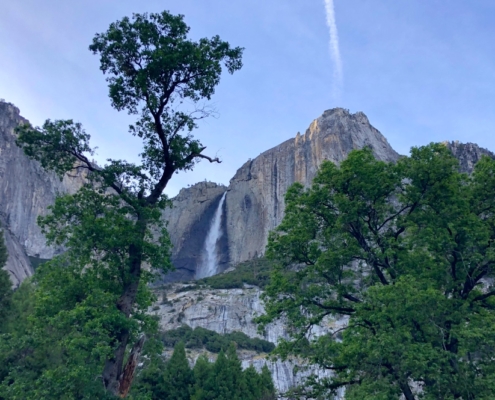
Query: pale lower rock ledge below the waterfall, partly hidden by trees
{"points": [[230, 310]]}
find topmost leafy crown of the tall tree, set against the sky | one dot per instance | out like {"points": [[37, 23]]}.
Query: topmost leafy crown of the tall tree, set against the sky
{"points": [[153, 68]]}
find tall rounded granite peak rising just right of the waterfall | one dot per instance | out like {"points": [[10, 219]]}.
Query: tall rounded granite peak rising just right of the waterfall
{"points": [[255, 201]]}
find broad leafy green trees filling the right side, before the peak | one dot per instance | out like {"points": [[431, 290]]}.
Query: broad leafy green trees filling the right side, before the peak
{"points": [[406, 251]]}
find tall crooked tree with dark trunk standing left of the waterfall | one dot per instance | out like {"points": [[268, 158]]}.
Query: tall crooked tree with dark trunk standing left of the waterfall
{"points": [[153, 71]]}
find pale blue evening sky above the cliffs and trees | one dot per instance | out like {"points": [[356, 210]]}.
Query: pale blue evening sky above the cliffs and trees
{"points": [[421, 70]]}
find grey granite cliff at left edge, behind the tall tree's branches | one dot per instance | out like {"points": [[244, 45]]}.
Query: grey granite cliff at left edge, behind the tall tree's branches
{"points": [[26, 191]]}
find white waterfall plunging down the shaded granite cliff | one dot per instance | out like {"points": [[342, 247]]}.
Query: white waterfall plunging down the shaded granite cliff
{"points": [[209, 260]]}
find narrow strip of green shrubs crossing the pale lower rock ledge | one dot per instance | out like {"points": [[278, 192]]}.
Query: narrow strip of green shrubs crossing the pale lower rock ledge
{"points": [[199, 338]]}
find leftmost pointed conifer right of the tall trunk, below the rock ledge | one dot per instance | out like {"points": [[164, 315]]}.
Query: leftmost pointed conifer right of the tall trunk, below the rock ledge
{"points": [[179, 378]]}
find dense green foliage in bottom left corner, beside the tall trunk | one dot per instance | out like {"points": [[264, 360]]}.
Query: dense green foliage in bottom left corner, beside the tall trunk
{"points": [[61, 335]]}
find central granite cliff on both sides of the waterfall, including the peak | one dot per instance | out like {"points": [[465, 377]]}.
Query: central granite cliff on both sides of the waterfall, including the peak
{"points": [[254, 203]]}
